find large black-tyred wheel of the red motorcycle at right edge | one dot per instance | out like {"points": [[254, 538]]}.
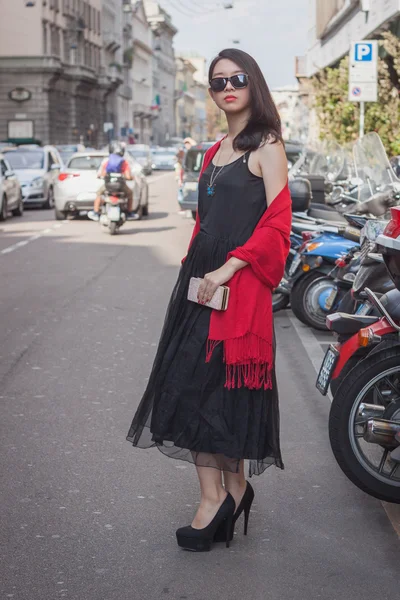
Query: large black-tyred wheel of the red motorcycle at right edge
{"points": [[375, 380]]}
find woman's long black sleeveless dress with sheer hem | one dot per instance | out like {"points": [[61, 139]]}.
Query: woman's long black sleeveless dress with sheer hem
{"points": [[186, 411]]}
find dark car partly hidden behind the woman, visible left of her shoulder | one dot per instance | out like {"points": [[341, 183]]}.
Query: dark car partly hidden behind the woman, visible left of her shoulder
{"points": [[191, 171]]}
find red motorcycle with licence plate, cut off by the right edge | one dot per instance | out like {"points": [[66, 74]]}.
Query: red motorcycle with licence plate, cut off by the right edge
{"points": [[363, 367]]}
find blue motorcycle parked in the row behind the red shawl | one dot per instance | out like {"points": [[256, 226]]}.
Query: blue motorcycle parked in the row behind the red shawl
{"points": [[311, 275]]}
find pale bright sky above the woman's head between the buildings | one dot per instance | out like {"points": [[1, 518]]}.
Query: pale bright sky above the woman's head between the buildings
{"points": [[272, 31]]}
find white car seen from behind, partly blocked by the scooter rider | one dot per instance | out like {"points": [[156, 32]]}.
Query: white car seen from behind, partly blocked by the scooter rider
{"points": [[77, 185]]}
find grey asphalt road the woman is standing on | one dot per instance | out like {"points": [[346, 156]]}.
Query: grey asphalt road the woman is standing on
{"points": [[87, 517]]}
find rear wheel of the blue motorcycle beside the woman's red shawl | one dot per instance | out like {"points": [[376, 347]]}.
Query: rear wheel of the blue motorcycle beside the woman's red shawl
{"points": [[304, 299]]}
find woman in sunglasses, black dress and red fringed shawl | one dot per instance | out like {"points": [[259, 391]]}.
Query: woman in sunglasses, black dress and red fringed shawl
{"points": [[212, 397]]}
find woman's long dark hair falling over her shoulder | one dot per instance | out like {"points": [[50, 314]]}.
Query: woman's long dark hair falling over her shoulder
{"points": [[264, 119]]}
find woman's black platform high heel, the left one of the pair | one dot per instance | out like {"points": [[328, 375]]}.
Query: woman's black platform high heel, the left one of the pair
{"points": [[200, 540]]}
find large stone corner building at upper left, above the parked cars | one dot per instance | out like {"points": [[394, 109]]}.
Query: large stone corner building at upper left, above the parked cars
{"points": [[52, 87]]}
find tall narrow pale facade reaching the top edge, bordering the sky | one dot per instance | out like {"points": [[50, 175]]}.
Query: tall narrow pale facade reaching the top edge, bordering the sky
{"points": [[164, 70]]}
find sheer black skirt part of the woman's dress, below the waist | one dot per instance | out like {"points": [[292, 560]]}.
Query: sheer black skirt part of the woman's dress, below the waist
{"points": [[186, 411]]}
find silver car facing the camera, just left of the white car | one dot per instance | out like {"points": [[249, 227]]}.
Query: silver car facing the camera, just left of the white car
{"points": [[37, 170]]}
